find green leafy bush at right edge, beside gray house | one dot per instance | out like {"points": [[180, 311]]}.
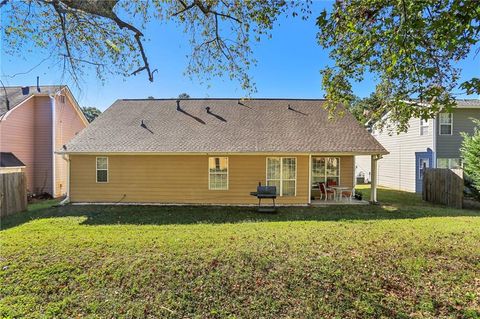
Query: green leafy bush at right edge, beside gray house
{"points": [[471, 155]]}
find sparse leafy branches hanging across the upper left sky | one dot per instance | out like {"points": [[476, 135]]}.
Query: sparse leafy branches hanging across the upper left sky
{"points": [[106, 35]]}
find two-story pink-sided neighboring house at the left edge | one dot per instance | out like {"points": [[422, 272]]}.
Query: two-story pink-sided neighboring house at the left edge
{"points": [[35, 122]]}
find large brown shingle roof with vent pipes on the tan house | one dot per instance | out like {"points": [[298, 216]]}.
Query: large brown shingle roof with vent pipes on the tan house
{"points": [[231, 125]]}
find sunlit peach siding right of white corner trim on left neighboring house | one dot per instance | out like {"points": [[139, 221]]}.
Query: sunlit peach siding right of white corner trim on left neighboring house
{"points": [[67, 124]]}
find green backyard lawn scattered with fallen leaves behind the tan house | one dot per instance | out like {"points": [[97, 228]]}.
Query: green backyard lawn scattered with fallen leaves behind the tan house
{"points": [[401, 259]]}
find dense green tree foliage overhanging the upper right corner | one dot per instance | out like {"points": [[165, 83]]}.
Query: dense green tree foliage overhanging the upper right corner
{"points": [[412, 48]]}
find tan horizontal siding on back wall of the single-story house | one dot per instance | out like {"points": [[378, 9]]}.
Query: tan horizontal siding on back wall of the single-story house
{"points": [[175, 179]]}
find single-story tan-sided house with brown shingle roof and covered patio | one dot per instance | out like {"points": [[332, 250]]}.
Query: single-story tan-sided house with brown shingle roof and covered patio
{"points": [[214, 151]]}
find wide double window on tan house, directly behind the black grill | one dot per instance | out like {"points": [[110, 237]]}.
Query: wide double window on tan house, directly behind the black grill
{"points": [[282, 173]]}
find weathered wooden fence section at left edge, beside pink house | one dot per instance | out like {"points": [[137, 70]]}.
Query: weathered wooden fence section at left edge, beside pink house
{"points": [[13, 193]]}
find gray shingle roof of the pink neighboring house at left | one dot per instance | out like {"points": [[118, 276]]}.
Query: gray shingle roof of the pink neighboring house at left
{"points": [[18, 94]]}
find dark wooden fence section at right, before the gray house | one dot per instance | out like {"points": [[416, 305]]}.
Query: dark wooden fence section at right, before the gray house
{"points": [[443, 186]]}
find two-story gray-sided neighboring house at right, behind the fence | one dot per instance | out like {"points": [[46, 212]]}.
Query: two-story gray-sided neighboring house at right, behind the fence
{"points": [[432, 143]]}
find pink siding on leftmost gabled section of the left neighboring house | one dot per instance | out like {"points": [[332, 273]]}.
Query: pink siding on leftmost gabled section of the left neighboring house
{"points": [[17, 136]]}
